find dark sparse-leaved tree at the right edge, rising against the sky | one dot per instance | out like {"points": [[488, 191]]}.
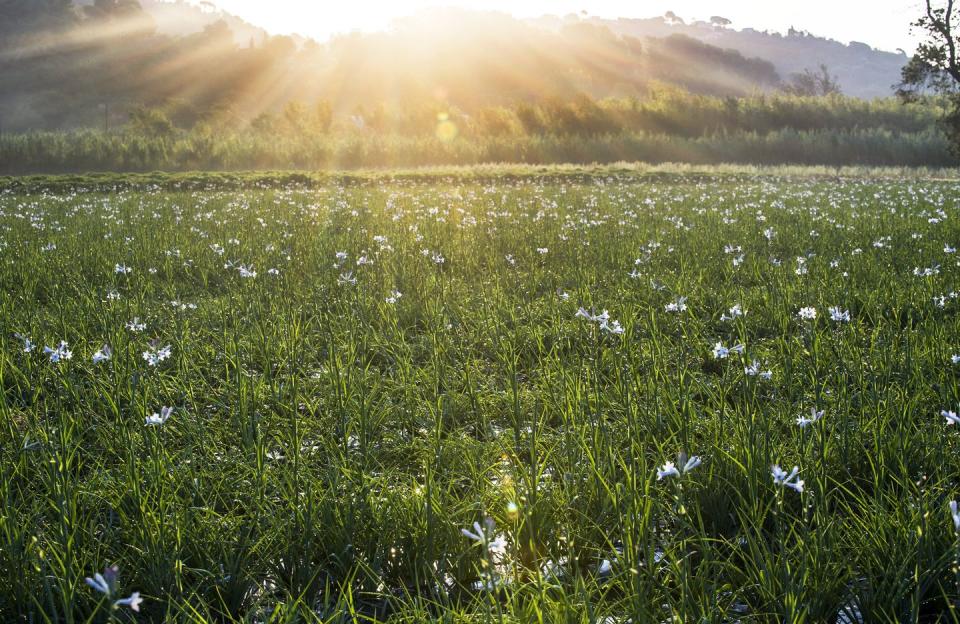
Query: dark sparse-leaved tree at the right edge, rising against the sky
{"points": [[935, 68]]}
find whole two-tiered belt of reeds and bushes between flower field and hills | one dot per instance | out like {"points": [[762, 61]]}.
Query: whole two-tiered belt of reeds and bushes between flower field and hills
{"points": [[667, 126]]}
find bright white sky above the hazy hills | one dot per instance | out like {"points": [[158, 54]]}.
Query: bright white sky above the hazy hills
{"points": [[883, 24]]}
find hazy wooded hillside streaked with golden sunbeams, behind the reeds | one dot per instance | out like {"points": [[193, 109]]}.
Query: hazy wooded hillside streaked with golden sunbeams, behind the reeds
{"points": [[67, 65]]}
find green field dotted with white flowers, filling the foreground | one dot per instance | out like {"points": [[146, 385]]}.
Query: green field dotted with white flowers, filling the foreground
{"points": [[361, 367]]}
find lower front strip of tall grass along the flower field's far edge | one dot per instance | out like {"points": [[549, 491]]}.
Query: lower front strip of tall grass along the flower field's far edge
{"points": [[85, 151]]}
